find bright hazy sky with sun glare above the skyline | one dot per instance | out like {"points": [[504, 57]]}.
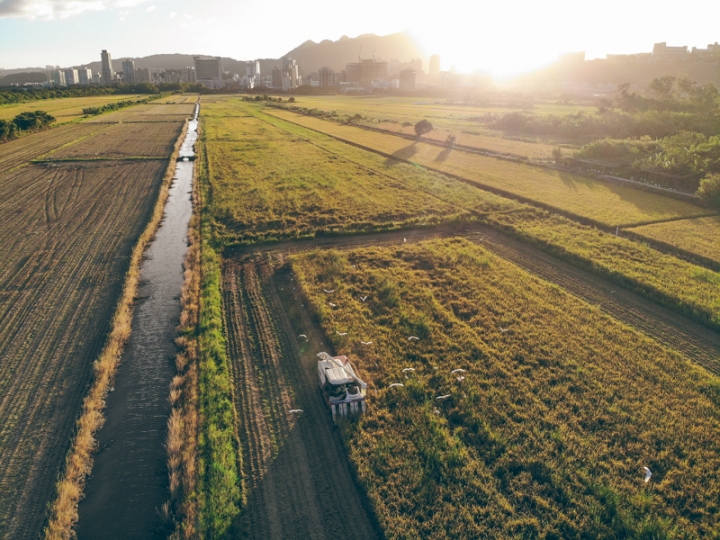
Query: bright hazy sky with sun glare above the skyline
{"points": [[502, 37]]}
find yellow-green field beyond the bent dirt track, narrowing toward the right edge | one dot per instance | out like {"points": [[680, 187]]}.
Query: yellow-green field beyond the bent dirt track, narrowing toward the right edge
{"points": [[242, 179]]}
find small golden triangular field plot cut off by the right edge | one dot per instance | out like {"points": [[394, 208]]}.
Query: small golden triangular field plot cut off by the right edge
{"points": [[697, 236]]}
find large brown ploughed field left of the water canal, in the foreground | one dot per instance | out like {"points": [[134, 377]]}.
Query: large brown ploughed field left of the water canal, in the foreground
{"points": [[66, 236]]}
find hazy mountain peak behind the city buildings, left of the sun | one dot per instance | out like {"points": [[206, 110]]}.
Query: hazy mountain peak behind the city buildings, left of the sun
{"points": [[311, 56]]}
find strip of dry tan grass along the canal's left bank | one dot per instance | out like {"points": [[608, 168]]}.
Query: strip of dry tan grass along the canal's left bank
{"points": [[78, 463]]}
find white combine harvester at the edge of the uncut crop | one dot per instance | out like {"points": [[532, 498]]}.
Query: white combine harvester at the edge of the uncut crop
{"points": [[344, 392]]}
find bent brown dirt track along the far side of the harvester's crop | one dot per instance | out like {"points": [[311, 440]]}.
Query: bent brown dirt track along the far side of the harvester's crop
{"points": [[694, 341]]}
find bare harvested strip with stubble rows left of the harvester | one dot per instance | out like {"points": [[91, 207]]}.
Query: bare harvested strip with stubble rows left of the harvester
{"points": [[296, 478]]}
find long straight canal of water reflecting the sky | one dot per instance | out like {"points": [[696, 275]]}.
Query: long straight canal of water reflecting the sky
{"points": [[129, 481]]}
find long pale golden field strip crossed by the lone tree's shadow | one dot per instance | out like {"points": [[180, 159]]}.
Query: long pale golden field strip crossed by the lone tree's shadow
{"points": [[606, 204]]}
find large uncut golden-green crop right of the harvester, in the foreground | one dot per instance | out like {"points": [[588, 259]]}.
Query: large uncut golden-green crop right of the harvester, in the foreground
{"points": [[546, 435]]}
